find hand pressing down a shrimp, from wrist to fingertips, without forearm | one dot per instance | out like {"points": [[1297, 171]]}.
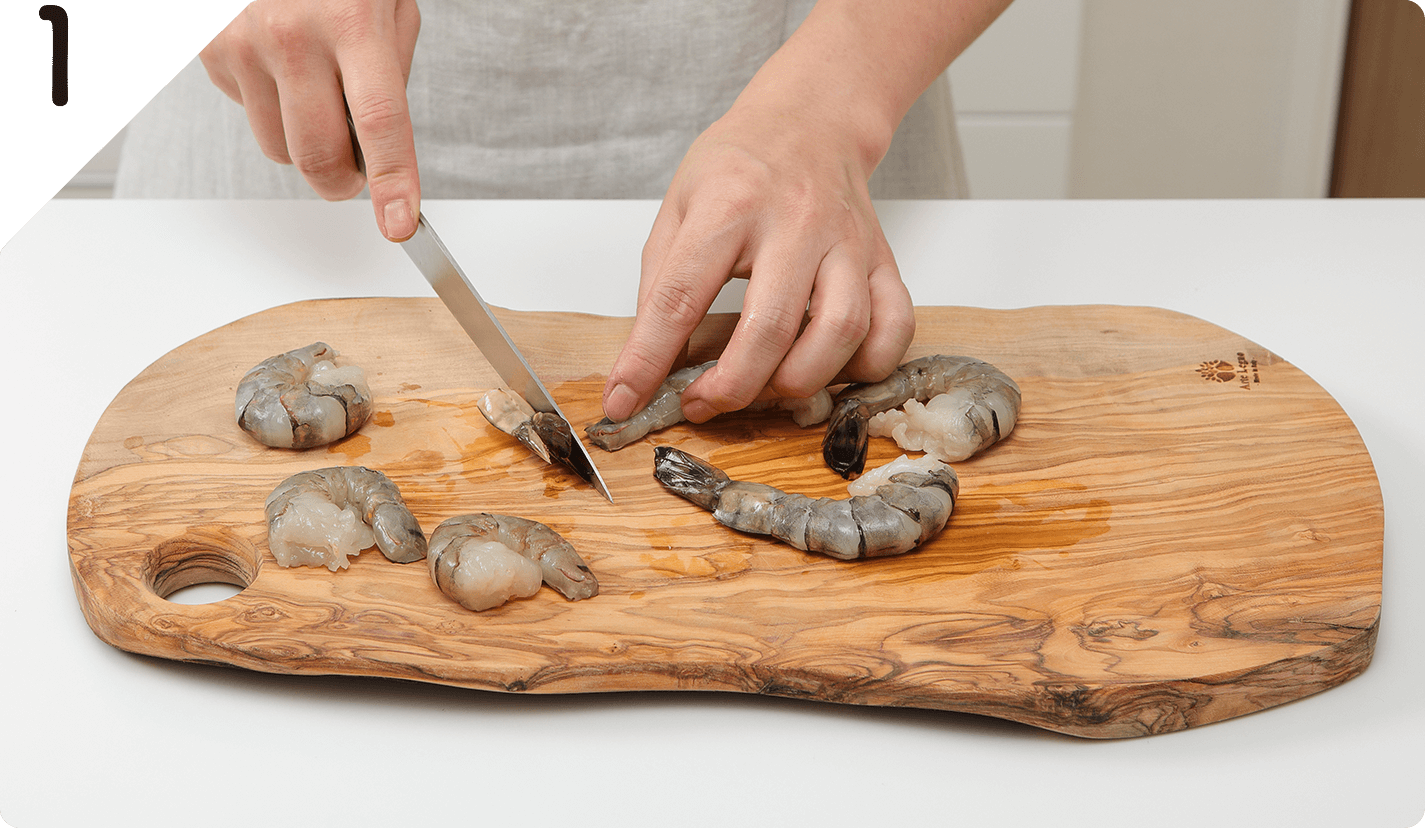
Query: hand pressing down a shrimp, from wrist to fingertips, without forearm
{"points": [[780, 197]]}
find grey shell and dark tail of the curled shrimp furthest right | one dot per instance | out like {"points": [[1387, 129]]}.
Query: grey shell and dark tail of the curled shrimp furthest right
{"points": [[993, 414]]}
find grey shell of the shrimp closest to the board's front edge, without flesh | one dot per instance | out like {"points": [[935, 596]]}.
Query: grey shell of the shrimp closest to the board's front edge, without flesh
{"points": [[561, 565]]}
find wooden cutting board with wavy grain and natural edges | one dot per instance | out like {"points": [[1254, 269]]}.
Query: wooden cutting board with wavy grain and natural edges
{"points": [[1182, 529]]}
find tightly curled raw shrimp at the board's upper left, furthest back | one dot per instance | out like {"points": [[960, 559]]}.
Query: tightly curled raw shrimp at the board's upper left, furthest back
{"points": [[303, 400]]}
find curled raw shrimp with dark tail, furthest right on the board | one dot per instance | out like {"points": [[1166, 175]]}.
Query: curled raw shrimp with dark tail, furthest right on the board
{"points": [[985, 405]]}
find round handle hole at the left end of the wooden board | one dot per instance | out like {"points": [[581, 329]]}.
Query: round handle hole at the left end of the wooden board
{"points": [[203, 566]]}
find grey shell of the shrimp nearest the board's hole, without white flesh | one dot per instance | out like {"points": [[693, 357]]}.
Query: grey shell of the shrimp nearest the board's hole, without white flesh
{"points": [[366, 491]]}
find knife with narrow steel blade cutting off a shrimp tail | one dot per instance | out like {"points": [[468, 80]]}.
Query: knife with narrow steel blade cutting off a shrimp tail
{"points": [[470, 310]]}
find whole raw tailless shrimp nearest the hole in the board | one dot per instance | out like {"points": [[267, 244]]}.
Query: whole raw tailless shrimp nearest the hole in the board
{"points": [[324, 517]]}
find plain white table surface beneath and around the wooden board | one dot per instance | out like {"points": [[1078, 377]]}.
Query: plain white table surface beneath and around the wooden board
{"points": [[95, 291]]}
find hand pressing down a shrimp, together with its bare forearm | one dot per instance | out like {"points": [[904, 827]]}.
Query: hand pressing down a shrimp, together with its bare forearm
{"points": [[777, 192]]}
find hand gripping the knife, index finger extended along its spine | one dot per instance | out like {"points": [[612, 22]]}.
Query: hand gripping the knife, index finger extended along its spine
{"points": [[297, 66]]}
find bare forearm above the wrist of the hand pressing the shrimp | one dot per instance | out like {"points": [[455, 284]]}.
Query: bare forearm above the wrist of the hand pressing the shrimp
{"points": [[857, 66]]}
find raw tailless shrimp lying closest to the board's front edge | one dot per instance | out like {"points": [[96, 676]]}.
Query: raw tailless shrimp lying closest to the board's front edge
{"points": [[484, 561]]}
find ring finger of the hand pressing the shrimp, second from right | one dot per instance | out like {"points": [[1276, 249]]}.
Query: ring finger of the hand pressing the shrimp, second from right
{"points": [[839, 323]]}
